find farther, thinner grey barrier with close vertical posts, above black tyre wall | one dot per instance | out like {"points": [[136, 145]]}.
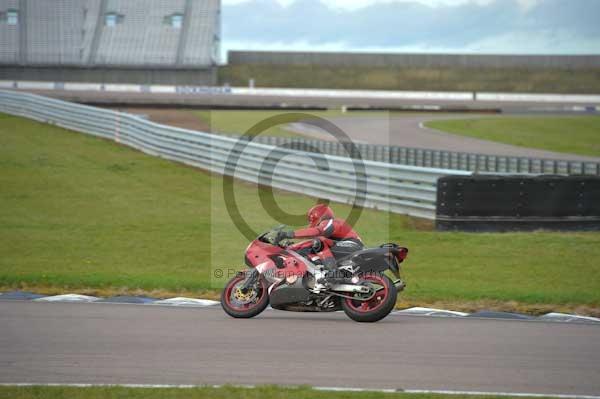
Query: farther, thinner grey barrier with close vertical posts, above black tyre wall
{"points": [[442, 159]]}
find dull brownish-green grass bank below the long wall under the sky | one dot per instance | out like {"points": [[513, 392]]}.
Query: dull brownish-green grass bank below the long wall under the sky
{"points": [[521, 80]]}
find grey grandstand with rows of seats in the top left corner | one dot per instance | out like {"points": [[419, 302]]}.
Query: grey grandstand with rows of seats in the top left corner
{"points": [[143, 41]]}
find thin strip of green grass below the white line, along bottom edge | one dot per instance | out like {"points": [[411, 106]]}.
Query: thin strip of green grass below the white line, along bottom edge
{"points": [[227, 392]]}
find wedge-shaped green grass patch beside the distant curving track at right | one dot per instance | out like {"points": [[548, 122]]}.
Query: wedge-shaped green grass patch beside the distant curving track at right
{"points": [[571, 135]]}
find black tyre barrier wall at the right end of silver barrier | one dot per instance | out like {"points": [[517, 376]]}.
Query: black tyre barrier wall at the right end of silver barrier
{"points": [[518, 203]]}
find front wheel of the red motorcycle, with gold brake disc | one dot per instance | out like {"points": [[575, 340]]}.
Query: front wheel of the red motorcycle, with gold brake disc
{"points": [[244, 305]]}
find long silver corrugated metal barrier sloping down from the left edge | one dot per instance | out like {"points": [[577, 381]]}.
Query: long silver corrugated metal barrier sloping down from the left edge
{"points": [[401, 189]]}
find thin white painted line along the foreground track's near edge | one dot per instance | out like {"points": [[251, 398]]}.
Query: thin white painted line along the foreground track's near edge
{"points": [[326, 389]]}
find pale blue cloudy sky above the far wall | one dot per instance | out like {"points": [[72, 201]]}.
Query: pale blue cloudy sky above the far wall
{"points": [[455, 26]]}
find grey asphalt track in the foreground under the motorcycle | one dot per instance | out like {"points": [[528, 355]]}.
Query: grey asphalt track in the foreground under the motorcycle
{"points": [[148, 344]]}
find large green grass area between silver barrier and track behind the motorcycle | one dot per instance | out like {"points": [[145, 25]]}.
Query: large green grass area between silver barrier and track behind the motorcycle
{"points": [[79, 212]]}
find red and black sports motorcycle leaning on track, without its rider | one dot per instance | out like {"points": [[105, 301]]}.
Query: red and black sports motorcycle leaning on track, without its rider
{"points": [[286, 279]]}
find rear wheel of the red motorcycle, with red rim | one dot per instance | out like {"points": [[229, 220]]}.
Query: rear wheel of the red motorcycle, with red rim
{"points": [[378, 306]]}
